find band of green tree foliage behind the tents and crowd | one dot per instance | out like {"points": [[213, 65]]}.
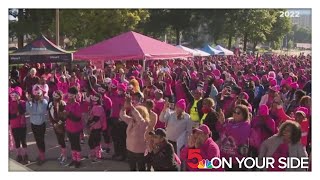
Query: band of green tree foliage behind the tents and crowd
{"points": [[193, 27]]}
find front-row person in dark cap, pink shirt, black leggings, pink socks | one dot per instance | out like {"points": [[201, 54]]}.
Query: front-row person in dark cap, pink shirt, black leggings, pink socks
{"points": [[74, 126]]}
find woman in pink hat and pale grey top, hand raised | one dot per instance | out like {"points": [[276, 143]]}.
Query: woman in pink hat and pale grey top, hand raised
{"points": [[178, 122]]}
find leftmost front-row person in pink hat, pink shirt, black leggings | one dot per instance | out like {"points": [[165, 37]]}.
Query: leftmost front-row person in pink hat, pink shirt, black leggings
{"points": [[17, 122]]}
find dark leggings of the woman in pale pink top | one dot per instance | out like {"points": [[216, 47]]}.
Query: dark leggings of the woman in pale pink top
{"points": [[136, 161]]}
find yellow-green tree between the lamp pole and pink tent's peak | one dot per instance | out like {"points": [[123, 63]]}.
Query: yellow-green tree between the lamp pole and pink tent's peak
{"points": [[87, 26]]}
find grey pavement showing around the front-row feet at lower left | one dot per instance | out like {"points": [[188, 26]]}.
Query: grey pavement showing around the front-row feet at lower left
{"points": [[53, 152]]}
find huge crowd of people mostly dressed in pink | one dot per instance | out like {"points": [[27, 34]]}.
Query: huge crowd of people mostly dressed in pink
{"points": [[221, 106]]}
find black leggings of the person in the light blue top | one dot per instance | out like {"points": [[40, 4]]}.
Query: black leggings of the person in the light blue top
{"points": [[38, 133]]}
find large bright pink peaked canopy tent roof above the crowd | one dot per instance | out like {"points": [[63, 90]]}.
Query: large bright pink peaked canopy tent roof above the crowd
{"points": [[130, 46]]}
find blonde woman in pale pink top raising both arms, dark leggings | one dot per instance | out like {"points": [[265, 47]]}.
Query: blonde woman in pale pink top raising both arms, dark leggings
{"points": [[137, 126]]}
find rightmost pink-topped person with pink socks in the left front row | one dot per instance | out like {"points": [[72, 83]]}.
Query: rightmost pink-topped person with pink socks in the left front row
{"points": [[96, 124]]}
